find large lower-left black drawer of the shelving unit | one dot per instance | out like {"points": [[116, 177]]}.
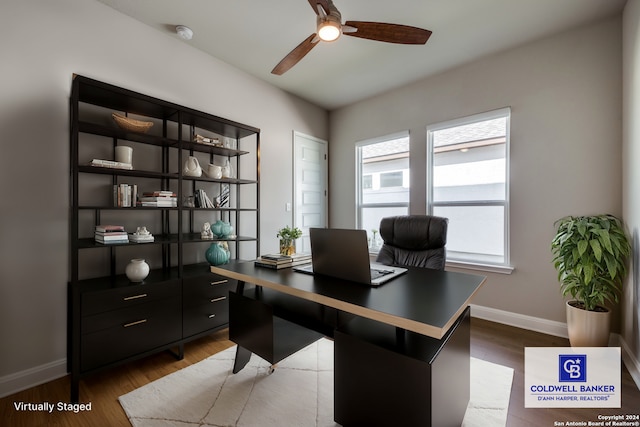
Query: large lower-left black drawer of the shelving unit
{"points": [[127, 332]]}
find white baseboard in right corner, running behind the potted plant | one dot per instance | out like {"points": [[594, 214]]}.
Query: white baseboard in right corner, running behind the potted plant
{"points": [[557, 329]]}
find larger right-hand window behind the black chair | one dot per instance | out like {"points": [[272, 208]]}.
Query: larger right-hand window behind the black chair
{"points": [[467, 182]]}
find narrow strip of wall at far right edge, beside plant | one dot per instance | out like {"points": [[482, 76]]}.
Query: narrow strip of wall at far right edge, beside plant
{"points": [[631, 182]]}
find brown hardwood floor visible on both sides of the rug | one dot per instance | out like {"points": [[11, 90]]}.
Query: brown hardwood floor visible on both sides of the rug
{"points": [[489, 341]]}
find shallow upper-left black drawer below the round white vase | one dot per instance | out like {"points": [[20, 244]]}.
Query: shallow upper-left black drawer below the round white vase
{"points": [[127, 296]]}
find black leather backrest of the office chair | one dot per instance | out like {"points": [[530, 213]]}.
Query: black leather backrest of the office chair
{"points": [[414, 240]]}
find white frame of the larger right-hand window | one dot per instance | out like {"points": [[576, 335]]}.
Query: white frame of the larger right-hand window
{"points": [[505, 266]]}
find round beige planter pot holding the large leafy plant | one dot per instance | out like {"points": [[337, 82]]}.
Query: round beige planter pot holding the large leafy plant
{"points": [[588, 328]]}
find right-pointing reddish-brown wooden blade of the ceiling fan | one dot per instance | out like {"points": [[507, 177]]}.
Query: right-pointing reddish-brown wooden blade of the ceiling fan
{"points": [[390, 33]]}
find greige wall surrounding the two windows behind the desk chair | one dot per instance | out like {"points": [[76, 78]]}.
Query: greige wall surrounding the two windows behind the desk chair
{"points": [[565, 95]]}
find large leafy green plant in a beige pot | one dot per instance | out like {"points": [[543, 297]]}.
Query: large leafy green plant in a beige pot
{"points": [[590, 253]]}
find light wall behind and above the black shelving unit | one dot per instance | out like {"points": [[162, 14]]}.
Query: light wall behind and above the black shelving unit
{"points": [[43, 43]]}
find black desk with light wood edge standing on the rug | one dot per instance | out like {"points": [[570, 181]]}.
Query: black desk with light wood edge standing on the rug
{"points": [[401, 355]]}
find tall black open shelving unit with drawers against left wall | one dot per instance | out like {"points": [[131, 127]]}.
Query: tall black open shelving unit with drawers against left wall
{"points": [[179, 282]]}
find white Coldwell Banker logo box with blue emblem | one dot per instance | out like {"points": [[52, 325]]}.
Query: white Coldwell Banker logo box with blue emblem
{"points": [[565, 377]]}
